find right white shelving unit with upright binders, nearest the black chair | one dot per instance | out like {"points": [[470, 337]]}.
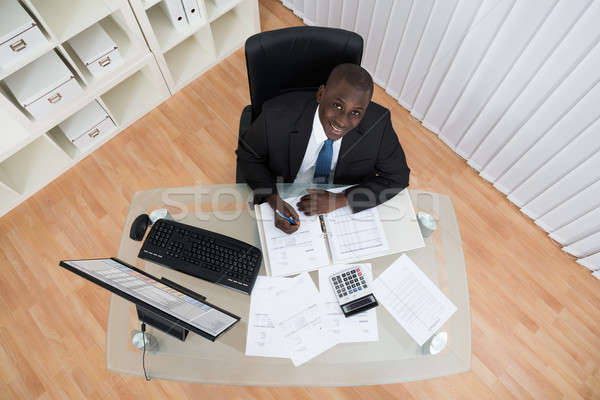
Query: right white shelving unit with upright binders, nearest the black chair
{"points": [[184, 55]]}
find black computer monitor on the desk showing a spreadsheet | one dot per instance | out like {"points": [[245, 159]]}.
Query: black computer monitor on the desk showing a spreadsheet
{"points": [[160, 302]]}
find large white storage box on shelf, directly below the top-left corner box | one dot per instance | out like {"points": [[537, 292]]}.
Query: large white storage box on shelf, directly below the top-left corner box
{"points": [[44, 85]]}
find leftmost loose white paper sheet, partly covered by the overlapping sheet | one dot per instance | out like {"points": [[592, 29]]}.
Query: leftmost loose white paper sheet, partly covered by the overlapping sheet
{"points": [[263, 339]]}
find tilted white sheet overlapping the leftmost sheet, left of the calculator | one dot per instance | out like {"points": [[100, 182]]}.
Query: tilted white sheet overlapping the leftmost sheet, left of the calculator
{"points": [[298, 315]]}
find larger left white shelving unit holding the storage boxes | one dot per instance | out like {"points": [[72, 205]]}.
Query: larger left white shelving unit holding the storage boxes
{"points": [[34, 152]]}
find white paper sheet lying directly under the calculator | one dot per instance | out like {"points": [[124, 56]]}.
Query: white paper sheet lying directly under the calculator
{"points": [[361, 327]]}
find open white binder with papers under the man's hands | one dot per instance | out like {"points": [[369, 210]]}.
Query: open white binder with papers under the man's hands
{"points": [[338, 237]]}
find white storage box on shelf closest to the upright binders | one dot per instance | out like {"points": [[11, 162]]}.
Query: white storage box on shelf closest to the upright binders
{"points": [[96, 50]]}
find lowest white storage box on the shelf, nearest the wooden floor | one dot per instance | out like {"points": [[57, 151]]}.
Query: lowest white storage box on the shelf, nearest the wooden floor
{"points": [[87, 126]]}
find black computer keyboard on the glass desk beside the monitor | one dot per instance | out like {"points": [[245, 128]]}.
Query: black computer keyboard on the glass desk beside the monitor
{"points": [[204, 254]]}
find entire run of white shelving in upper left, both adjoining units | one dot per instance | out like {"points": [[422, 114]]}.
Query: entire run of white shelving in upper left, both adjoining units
{"points": [[34, 152]]}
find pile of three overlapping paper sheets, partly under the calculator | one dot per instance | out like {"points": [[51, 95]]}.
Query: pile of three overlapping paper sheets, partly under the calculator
{"points": [[290, 318]]}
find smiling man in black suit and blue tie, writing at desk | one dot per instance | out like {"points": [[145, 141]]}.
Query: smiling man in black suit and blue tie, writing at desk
{"points": [[338, 136]]}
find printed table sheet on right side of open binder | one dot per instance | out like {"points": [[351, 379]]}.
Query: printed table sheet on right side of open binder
{"points": [[354, 236]]}
